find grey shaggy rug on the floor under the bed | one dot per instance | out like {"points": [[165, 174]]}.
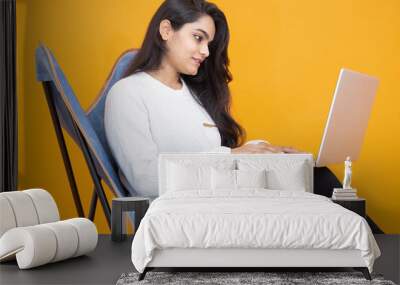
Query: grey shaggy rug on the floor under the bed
{"points": [[244, 278]]}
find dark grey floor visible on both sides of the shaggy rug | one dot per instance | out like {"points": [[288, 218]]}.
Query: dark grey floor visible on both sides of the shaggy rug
{"points": [[110, 260]]}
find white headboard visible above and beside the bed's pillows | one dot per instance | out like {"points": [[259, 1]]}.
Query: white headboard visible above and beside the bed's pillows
{"points": [[282, 164]]}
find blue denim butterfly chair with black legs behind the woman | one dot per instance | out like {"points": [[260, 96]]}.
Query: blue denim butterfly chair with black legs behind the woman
{"points": [[86, 129]]}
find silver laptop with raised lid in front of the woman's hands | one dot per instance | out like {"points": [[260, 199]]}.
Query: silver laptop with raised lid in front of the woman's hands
{"points": [[348, 117]]}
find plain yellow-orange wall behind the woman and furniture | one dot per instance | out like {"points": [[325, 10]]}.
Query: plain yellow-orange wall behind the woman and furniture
{"points": [[285, 59]]}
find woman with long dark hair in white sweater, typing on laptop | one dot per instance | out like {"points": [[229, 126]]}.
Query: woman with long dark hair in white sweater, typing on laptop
{"points": [[175, 96]]}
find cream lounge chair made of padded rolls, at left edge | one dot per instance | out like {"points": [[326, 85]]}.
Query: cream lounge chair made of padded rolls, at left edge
{"points": [[31, 232]]}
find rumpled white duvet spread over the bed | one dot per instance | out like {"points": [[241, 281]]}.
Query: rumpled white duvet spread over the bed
{"points": [[250, 219]]}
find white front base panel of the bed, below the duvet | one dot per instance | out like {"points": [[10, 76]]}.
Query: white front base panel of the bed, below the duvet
{"points": [[192, 257]]}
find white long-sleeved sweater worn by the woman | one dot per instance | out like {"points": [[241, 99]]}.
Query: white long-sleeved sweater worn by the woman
{"points": [[144, 117]]}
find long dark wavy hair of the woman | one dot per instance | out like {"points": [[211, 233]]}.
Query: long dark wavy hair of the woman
{"points": [[210, 85]]}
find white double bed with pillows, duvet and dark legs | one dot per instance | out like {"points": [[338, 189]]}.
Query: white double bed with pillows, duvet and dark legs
{"points": [[236, 210]]}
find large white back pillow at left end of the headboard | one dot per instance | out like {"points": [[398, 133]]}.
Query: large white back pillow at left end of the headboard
{"points": [[187, 177]]}
